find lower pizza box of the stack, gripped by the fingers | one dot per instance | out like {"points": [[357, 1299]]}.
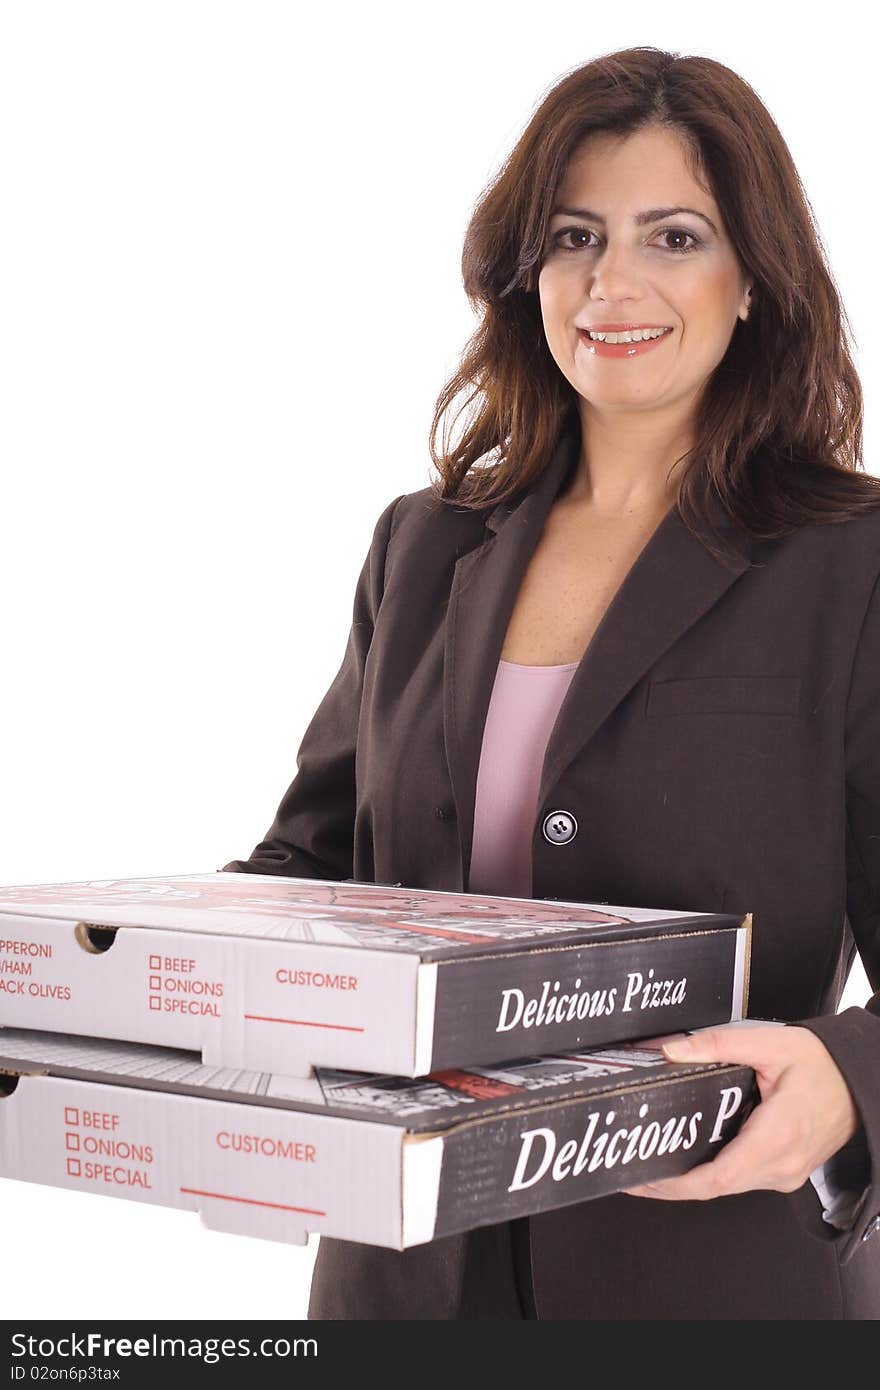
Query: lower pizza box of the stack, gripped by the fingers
{"points": [[387, 1161]]}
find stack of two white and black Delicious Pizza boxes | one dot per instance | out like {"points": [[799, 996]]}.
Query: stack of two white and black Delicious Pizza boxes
{"points": [[379, 1064]]}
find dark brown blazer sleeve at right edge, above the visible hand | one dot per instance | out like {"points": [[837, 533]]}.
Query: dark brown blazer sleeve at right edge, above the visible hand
{"points": [[853, 1038]]}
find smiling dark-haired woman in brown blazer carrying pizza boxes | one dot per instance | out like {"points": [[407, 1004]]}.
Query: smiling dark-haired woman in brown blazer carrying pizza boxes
{"points": [[637, 660]]}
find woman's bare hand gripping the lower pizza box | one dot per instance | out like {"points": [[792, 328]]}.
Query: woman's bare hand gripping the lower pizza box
{"points": [[807, 1113]]}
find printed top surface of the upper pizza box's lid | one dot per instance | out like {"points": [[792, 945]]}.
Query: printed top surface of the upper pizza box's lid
{"points": [[432, 925]]}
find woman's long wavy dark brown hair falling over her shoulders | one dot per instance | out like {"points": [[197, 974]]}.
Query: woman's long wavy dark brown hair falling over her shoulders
{"points": [[779, 426]]}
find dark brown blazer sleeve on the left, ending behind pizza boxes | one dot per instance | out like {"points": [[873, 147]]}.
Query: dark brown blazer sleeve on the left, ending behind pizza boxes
{"points": [[313, 832]]}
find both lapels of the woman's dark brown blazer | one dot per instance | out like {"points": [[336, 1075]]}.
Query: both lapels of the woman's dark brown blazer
{"points": [[672, 584]]}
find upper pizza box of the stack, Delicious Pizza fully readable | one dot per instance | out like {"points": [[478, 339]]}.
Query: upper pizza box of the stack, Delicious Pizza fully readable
{"points": [[282, 975]]}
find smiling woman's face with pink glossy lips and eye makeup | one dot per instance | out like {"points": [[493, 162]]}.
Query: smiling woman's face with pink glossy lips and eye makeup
{"points": [[604, 263]]}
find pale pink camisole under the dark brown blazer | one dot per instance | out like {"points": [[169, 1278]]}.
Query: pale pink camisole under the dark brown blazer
{"points": [[522, 714]]}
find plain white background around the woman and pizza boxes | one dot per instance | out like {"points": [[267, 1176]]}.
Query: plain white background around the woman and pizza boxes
{"points": [[230, 295]]}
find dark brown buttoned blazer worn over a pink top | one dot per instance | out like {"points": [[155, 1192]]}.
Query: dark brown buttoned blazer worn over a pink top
{"points": [[719, 749]]}
